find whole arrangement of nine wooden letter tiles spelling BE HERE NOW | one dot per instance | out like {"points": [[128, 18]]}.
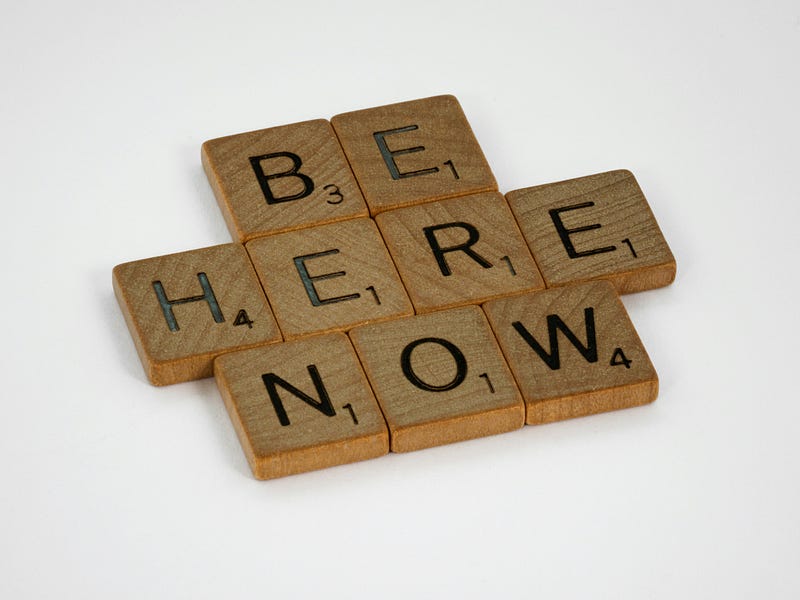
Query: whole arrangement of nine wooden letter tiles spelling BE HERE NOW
{"points": [[382, 295]]}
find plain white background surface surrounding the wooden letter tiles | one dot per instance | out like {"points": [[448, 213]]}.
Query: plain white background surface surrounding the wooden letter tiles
{"points": [[112, 488]]}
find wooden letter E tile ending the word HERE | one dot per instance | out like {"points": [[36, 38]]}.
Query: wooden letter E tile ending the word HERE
{"points": [[595, 227]]}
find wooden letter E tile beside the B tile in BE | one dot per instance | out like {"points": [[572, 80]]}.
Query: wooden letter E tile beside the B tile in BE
{"points": [[413, 152]]}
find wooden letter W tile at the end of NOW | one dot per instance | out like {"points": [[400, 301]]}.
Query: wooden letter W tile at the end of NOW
{"points": [[573, 351]]}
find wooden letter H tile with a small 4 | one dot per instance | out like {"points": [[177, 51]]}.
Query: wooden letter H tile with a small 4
{"points": [[184, 309]]}
